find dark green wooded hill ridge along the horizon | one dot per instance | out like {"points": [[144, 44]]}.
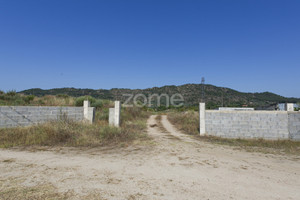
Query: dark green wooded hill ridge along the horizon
{"points": [[214, 96]]}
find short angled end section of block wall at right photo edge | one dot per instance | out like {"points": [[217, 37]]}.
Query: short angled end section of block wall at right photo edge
{"points": [[294, 125]]}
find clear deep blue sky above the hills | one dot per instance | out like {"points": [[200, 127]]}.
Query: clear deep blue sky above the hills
{"points": [[250, 46]]}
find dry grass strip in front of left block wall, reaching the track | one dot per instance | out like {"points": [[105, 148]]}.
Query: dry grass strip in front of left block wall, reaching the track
{"points": [[70, 133]]}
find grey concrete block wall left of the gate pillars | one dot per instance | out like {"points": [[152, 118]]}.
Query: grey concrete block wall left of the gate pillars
{"points": [[13, 116]]}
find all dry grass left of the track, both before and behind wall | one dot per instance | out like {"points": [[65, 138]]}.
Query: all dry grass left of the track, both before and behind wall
{"points": [[69, 133]]}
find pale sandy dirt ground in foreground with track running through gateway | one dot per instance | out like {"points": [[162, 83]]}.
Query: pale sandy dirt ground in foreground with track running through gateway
{"points": [[173, 166]]}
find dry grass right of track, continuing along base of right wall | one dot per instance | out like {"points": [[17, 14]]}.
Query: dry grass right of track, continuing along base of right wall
{"points": [[188, 122]]}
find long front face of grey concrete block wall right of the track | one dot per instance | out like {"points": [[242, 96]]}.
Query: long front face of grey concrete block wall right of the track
{"points": [[247, 124]]}
